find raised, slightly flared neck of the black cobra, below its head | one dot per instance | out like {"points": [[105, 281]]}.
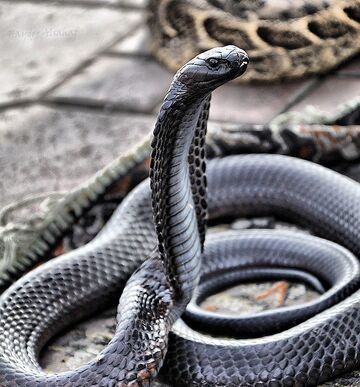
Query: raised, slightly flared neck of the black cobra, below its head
{"points": [[175, 170]]}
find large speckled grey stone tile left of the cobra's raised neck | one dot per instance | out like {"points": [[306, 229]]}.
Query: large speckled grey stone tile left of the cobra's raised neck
{"points": [[44, 149]]}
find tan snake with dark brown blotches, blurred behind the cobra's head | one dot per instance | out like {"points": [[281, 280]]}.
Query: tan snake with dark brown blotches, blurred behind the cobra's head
{"points": [[285, 39]]}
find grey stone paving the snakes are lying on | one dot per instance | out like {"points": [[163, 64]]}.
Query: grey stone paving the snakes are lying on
{"points": [[78, 86]]}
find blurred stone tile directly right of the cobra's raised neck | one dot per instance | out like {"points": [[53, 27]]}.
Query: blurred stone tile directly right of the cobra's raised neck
{"points": [[252, 103]]}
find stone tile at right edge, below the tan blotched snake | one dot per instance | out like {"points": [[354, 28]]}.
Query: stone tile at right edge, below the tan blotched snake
{"points": [[333, 92]]}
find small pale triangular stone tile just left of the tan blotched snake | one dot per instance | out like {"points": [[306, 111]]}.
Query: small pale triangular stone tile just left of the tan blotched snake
{"points": [[137, 43]]}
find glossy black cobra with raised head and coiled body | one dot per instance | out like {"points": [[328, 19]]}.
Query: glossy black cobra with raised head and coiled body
{"points": [[76, 285]]}
